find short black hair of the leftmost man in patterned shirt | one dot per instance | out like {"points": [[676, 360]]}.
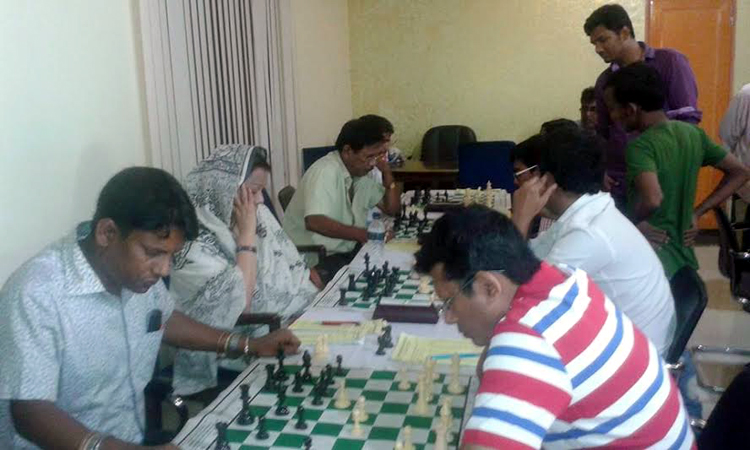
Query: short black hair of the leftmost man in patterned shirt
{"points": [[147, 199]]}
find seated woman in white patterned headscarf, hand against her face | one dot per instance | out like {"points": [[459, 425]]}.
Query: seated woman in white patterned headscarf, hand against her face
{"points": [[242, 261]]}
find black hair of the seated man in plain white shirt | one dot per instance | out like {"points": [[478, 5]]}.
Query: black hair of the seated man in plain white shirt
{"points": [[575, 158]]}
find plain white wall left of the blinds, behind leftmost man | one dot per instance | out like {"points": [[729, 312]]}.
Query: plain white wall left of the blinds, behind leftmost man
{"points": [[71, 114]]}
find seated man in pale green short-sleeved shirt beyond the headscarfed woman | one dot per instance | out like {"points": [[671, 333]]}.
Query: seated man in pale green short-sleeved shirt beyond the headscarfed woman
{"points": [[330, 206]]}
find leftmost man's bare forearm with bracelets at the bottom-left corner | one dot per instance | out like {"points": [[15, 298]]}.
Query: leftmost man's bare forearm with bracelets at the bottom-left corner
{"points": [[49, 427]]}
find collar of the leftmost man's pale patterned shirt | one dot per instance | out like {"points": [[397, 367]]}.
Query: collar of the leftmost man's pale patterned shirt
{"points": [[80, 278]]}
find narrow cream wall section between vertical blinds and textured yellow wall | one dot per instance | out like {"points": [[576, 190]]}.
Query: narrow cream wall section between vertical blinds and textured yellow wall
{"points": [[323, 95]]}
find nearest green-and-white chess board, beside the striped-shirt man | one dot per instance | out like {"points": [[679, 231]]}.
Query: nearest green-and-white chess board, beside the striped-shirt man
{"points": [[389, 408]]}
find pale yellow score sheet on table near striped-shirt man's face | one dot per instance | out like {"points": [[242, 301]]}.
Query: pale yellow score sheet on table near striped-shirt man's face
{"points": [[415, 349]]}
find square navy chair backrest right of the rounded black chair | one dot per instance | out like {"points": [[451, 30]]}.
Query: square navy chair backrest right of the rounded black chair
{"points": [[480, 162]]}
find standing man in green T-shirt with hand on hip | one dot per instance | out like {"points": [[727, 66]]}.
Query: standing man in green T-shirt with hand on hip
{"points": [[663, 164]]}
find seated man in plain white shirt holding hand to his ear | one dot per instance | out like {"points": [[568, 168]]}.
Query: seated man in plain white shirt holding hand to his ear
{"points": [[593, 235]]}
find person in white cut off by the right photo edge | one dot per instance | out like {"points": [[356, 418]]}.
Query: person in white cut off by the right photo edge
{"points": [[735, 132]]}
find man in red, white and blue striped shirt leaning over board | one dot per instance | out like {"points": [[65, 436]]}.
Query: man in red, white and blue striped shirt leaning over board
{"points": [[564, 367]]}
